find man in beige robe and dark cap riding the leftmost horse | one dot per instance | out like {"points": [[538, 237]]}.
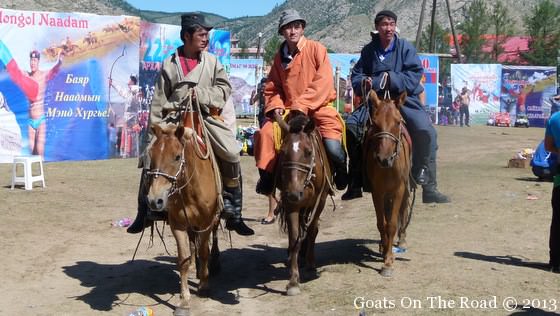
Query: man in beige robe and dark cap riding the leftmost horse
{"points": [[193, 75]]}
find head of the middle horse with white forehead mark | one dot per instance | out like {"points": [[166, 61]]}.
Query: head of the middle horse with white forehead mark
{"points": [[297, 158]]}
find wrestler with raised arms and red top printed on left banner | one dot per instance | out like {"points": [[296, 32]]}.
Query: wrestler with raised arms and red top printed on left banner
{"points": [[34, 85]]}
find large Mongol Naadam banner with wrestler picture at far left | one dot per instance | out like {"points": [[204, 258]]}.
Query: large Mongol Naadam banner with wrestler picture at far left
{"points": [[54, 82]]}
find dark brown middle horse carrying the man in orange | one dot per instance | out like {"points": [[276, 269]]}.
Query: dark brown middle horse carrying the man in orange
{"points": [[303, 170]]}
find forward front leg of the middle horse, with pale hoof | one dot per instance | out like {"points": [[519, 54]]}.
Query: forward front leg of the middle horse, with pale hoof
{"points": [[293, 250]]}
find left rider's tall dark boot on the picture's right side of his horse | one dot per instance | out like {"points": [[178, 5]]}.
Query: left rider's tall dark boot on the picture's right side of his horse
{"points": [[233, 199]]}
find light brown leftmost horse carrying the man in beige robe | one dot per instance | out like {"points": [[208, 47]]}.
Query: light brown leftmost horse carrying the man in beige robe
{"points": [[182, 182]]}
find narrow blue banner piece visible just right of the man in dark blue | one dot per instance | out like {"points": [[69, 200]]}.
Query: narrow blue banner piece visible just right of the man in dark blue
{"points": [[430, 80]]}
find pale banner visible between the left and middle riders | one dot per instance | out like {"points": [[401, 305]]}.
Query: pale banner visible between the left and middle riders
{"points": [[244, 76]]}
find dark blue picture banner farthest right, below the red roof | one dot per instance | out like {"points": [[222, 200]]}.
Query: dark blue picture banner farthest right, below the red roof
{"points": [[527, 90]]}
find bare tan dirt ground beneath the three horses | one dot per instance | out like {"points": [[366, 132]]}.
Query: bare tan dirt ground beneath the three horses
{"points": [[61, 256]]}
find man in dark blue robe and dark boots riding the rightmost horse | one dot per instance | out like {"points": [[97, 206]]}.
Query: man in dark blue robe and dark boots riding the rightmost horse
{"points": [[388, 55]]}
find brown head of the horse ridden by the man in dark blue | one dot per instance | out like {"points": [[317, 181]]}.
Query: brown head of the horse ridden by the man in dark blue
{"points": [[386, 128]]}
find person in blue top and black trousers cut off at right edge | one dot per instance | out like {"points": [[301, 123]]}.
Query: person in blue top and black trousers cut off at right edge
{"points": [[552, 144]]}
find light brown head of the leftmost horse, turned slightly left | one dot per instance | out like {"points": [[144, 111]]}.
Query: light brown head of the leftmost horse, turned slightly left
{"points": [[167, 164]]}
